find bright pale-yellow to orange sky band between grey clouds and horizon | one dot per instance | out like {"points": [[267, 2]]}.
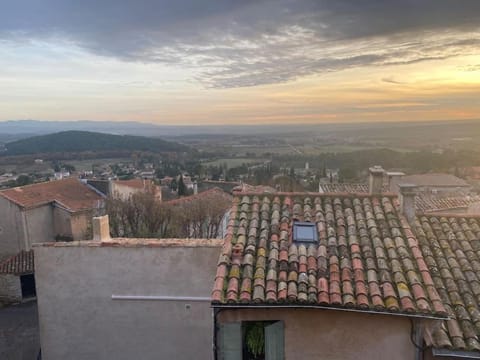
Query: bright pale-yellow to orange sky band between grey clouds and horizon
{"points": [[63, 82]]}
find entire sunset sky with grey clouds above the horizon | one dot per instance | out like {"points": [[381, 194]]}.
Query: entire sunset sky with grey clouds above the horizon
{"points": [[240, 62]]}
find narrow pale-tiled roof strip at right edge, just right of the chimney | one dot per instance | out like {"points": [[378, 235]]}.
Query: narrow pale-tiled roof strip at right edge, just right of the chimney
{"points": [[432, 202]]}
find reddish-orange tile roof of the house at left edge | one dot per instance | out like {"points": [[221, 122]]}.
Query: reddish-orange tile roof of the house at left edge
{"points": [[69, 193]]}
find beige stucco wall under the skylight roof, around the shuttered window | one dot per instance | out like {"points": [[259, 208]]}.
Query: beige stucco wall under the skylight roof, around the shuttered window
{"points": [[335, 335]]}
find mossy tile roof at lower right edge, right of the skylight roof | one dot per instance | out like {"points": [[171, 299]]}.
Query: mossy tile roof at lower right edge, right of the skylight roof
{"points": [[451, 248]]}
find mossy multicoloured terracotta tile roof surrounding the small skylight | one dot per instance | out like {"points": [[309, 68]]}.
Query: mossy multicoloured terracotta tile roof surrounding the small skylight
{"points": [[367, 257]]}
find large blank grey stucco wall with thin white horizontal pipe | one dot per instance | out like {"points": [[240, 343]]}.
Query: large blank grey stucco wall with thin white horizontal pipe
{"points": [[79, 319]]}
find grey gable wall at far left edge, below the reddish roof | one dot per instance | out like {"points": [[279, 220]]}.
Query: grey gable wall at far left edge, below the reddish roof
{"points": [[12, 238]]}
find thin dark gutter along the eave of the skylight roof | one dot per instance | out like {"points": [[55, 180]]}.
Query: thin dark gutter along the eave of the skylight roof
{"points": [[241, 306]]}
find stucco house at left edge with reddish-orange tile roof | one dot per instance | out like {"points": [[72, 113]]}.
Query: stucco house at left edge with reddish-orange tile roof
{"points": [[60, 209]]}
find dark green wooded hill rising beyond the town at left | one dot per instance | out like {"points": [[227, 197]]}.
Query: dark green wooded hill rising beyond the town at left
{"points": [[81, 141]]}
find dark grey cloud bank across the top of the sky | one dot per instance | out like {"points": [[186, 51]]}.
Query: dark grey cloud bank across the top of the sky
{"points": [[244, 43]]}
